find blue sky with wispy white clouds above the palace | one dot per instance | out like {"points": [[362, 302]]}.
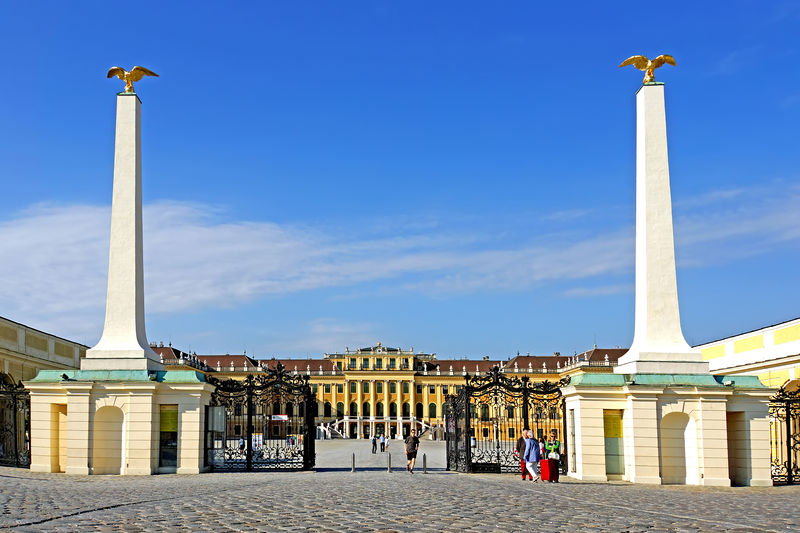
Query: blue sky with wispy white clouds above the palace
{"points": [[453, 176]]}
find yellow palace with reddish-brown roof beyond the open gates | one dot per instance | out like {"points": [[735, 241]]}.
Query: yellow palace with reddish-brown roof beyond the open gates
{"points": [[381, 390]]}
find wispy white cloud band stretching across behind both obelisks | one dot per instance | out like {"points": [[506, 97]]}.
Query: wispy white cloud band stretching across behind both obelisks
{"points": [[55, 258]]}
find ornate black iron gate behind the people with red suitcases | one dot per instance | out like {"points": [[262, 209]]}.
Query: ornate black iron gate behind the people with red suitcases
{"points": [[485, 419]]}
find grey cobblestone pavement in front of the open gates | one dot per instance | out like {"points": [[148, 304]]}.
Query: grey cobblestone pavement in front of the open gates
{"points": [[375, 500]]}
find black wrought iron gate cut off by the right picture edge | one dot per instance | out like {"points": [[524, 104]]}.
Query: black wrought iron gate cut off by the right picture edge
{"points": [[784, 417]]}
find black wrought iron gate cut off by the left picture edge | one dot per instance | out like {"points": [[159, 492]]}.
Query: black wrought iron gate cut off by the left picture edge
{"points": [[15, 424]]}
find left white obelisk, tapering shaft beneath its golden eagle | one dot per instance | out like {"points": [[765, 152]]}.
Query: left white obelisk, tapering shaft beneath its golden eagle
{"points": [[123, 345]]}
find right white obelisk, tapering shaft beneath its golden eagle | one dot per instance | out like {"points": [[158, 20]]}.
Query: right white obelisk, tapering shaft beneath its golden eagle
{"points": [[658, 343]]}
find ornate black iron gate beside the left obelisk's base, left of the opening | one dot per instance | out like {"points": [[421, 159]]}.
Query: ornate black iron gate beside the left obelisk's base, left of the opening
{"points": [[264, 422]]}
